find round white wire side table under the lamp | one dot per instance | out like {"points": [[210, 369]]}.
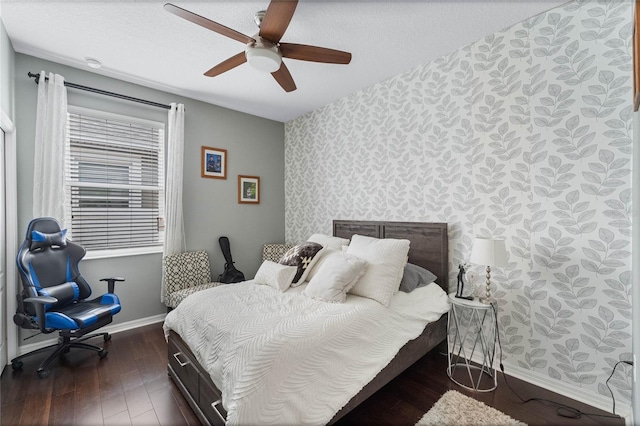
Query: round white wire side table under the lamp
{"points": [[471, 328]]}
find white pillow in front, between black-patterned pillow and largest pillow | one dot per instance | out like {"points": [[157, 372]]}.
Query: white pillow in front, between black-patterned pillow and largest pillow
{"points": [[335, 277]]}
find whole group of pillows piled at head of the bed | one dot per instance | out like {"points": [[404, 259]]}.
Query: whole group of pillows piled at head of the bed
{"points": [[367, 267]]}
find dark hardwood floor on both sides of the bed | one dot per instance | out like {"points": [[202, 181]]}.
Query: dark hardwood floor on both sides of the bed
{"points": [[131, 387]]}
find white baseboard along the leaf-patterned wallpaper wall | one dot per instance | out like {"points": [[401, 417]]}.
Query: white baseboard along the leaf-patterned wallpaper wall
{"points": [[563, 388]]}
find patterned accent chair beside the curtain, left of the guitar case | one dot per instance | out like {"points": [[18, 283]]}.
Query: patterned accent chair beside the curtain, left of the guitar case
{"points": [[185, 274]]}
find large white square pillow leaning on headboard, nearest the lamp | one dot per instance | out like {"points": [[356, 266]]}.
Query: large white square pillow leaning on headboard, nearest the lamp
{"points": [[385, 259]]}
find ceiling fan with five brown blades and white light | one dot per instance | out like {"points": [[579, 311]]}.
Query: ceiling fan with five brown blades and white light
{"points": [[264, 50]]}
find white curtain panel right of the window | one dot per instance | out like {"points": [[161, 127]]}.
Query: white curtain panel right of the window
{"points": [[174, 239]]}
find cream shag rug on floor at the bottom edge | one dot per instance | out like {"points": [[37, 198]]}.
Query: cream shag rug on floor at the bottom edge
{"points": [[454, 408]]}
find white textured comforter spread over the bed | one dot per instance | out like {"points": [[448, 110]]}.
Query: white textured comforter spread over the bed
{"points": [[283, 358]]}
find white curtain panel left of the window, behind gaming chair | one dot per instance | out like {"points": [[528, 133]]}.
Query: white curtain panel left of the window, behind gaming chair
{"points": [[49, 158]]}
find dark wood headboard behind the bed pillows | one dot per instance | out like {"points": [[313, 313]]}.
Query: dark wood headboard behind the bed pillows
{"points": [[429, 242]]}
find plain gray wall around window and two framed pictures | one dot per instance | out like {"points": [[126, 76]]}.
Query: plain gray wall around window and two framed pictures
{"points": [[255, 147]]}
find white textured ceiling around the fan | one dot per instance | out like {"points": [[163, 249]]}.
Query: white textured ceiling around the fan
{"points": [[139, 42]]}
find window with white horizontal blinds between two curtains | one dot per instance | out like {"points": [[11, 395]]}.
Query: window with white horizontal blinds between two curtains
{"points": [[115, 181]]}
